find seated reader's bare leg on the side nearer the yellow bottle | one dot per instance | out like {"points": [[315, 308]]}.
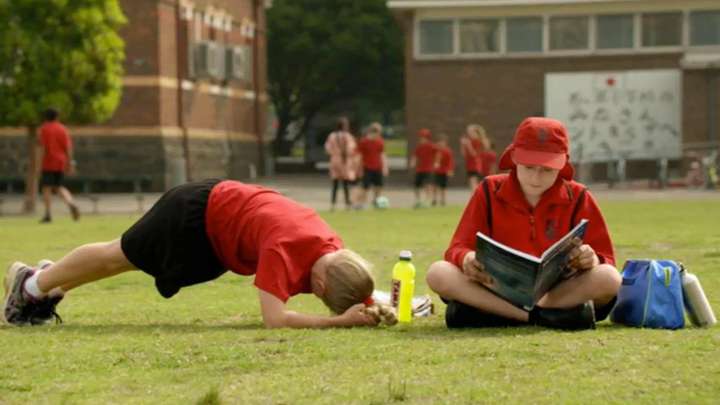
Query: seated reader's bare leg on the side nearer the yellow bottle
{"points": [[449, 282]]}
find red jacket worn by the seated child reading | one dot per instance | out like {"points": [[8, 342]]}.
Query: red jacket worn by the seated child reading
{"points": [[531, 230]]}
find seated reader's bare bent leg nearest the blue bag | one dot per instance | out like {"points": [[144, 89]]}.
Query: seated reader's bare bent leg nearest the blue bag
{"points": [[600, 284]]}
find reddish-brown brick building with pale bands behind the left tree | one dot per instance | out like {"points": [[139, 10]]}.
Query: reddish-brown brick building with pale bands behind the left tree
{"points": [[194, 97]]}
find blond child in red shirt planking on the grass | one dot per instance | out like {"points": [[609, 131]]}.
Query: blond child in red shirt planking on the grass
{"points": [[197, 231]]}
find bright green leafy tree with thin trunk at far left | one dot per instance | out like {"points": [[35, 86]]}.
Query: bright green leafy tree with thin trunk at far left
{"points": [[61, 53]]}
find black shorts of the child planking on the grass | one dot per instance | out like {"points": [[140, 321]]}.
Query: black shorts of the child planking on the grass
{"points": [[170, 242]]}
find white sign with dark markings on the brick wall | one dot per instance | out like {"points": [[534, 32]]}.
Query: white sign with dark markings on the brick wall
{"points": [[633, 114]]}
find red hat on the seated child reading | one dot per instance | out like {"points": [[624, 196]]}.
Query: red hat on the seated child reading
{"points": [[539, 141]]}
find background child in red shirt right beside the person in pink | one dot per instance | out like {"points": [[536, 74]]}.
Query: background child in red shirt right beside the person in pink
{"points": [[374, 163]]}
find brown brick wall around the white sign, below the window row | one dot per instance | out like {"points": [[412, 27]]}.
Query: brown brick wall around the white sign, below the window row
{"points": [[446, 95]]}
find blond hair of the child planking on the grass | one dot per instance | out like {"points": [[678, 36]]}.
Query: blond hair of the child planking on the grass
{"points": [[348, 281]]}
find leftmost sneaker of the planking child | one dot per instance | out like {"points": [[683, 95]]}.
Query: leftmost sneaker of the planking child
{"points": [[17, 304]]}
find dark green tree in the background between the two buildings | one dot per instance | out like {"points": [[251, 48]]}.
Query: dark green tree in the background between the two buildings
{"points": [[322, 53]]}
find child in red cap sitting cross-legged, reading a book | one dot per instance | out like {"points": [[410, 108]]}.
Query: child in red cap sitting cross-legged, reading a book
{"points": [[530, 208]]}
